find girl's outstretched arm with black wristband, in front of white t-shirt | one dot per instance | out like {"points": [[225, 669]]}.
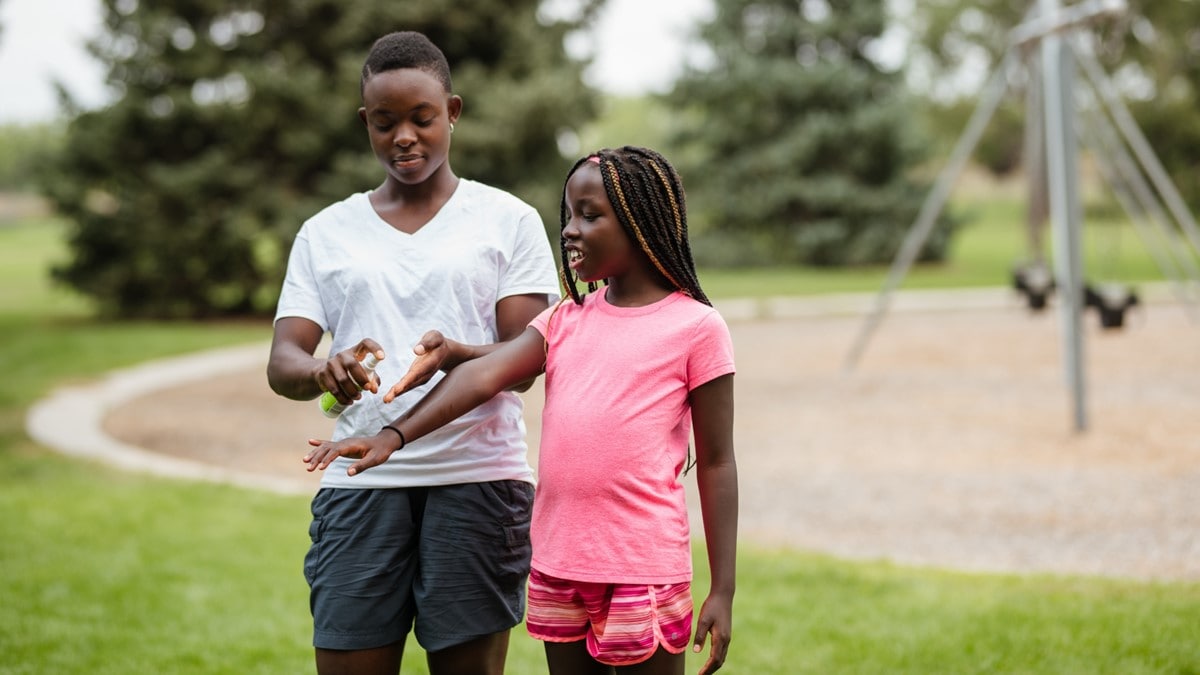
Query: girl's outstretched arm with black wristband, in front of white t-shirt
{"points": [[463, 390]]}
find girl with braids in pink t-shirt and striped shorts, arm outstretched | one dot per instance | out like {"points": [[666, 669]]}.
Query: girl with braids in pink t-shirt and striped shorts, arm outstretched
{"points": [[632, 373]]}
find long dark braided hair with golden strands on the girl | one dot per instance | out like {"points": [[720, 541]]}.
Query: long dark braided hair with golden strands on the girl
{"points": [[647, 196]]}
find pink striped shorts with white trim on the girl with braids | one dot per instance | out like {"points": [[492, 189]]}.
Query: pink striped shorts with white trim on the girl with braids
{"points": [[623, 624]]}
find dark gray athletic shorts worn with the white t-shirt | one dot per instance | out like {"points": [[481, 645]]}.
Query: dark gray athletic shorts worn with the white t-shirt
{"points": [[454, 558]]}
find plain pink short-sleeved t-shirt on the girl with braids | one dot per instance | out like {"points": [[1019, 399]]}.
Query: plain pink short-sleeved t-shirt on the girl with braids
{"points": [[615, 433]]}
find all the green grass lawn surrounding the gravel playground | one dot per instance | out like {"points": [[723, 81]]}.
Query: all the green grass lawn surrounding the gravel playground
{"points": [[107, 572]]}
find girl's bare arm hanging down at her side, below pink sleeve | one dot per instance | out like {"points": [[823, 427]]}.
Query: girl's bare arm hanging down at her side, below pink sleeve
{"points": [[717, 479]]}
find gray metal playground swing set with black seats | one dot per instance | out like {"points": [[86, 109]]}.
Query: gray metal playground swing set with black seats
{"points": [[1064, 115]]}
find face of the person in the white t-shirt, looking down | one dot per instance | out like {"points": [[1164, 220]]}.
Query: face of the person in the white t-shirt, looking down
{"points": [[409, 116]]}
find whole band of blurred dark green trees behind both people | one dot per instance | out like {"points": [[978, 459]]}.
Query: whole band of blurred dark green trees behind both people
{"points": [[232, 123]]}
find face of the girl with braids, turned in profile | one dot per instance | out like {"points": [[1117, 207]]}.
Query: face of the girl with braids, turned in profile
{"points": [[597, 246]]}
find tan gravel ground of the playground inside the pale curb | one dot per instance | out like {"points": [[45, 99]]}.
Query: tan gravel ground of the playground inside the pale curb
{"points": [[951, 445]]}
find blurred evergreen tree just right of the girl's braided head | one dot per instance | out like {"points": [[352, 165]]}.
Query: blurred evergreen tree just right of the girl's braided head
{"points": [[799, 146]]}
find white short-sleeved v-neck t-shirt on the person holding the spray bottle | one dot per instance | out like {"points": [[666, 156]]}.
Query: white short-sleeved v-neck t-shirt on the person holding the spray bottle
{"points": [[358, 277]]}
